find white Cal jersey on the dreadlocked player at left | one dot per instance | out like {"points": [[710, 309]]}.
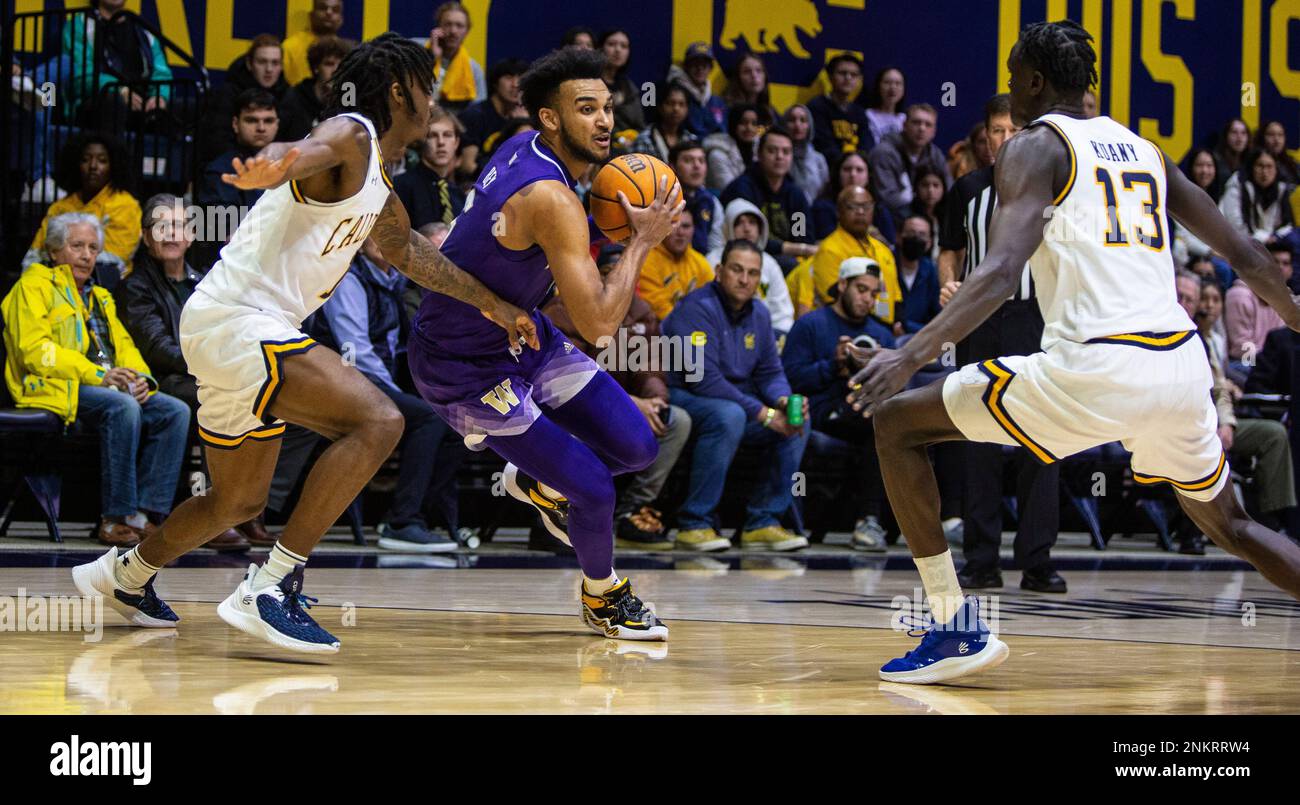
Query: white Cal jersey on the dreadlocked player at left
{"points": [[291, 253]]}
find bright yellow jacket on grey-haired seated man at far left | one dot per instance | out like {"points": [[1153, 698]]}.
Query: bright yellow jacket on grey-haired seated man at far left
{"points": [[46, 341]]}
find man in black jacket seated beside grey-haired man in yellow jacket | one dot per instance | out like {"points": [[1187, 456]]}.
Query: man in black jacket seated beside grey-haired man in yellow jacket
{"points": [[151, 298]]}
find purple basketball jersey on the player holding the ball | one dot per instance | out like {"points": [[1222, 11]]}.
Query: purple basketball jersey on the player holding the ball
{"points": [[521, 278]]}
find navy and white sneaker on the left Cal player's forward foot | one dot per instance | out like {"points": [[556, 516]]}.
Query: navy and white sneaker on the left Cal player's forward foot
{"points": [[278, 613]]}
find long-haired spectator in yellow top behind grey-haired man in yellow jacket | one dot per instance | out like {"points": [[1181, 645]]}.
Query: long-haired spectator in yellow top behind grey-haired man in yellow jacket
{"points": [[98, 176]]}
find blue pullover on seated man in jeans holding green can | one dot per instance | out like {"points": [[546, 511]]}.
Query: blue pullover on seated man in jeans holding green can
{"points": [[740, 360]]}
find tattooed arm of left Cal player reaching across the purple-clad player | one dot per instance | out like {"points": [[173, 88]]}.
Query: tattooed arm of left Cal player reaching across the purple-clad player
{"points": [[426, 266]]}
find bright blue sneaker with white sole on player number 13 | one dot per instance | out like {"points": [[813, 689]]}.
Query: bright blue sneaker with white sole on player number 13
{"points": [[948, 652]]}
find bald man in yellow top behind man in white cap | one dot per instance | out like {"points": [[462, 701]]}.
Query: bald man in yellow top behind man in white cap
{"points": [[852, 239]]}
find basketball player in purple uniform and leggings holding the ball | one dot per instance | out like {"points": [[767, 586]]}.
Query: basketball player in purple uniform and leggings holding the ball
{"points": [[564, 425]]}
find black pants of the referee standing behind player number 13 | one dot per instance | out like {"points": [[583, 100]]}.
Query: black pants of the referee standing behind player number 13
{"points": [[1015, 330]]}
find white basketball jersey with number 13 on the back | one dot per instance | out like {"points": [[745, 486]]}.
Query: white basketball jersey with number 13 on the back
{"points": [[1106, 267]]}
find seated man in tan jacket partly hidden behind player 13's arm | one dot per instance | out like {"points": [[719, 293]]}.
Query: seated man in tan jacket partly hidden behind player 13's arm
{"points": [[1263, 440]]}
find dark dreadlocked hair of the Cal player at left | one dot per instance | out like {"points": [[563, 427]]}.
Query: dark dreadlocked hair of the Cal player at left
{"points": [[370, 70]]}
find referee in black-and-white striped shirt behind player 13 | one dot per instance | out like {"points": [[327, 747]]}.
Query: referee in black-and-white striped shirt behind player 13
{"points": [[1015, 330]]}
